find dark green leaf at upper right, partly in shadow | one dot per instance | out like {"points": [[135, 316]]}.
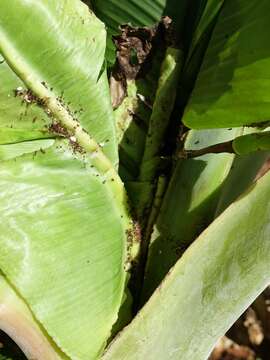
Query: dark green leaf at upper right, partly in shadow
{"points": [[233, 85]]}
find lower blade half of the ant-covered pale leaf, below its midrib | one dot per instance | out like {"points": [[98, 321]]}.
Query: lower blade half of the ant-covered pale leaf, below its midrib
{"points": [[63, 245]]}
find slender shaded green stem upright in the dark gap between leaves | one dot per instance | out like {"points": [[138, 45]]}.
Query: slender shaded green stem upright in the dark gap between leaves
{"points": [[159, 121]]}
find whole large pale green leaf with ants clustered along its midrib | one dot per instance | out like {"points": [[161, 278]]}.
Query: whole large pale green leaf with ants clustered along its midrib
{"points": [[64, 218]]}
